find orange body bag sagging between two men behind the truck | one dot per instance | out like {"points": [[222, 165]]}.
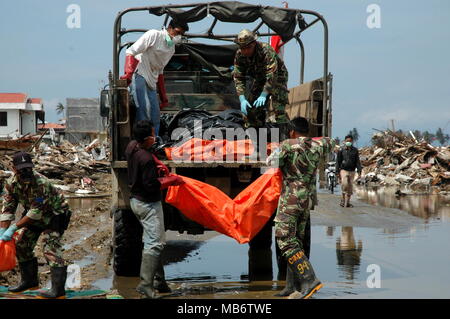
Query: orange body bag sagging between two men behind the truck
{"points": [[240, 218]]}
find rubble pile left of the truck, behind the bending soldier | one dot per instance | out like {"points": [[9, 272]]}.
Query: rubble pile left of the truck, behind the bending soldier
{"points": [[72, 168]]}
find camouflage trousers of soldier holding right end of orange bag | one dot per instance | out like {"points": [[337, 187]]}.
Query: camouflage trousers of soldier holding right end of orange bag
{"points": [[292, 219]]}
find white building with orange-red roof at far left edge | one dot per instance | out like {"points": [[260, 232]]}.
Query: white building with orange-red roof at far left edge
{"points": [[19, 114]]}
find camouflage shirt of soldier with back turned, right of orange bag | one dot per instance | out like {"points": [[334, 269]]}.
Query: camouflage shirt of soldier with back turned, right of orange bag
{"points": [[299, 158]]}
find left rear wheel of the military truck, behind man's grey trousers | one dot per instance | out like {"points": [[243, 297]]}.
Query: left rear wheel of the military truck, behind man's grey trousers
{"points": [[127, 244]]}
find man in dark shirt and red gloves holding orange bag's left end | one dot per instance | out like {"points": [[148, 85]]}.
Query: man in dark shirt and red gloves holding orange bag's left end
{"points": [[147, 176]]}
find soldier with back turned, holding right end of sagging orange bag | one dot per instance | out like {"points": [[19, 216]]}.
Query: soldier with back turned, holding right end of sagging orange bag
{"points": [[298, 159]]}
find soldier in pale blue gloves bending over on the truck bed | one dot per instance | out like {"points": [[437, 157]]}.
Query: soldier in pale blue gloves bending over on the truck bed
{"points": [[270, 76]]}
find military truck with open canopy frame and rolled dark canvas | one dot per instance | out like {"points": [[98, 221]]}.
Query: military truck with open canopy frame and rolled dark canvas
{"points": [[199, 76]]}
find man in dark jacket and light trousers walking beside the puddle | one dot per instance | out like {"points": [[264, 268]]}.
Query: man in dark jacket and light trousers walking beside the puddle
{"points": [[346, 163]]}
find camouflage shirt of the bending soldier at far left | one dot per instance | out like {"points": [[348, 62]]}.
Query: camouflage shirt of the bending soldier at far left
{"points": [[40, 199]]}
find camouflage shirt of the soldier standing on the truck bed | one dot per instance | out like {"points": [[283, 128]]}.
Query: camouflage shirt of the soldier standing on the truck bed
{"points": [[265, 67]]}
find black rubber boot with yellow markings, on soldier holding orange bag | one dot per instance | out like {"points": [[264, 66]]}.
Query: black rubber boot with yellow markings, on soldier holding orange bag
{"points": [[304, 273]]}
